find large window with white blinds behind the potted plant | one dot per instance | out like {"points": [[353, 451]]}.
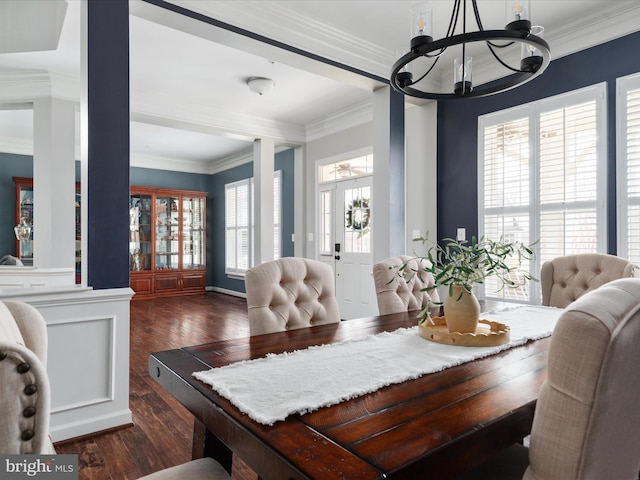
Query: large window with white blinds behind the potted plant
{"points": [[542, 180]]}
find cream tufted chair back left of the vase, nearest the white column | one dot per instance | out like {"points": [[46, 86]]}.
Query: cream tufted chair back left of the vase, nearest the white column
{"points": [[290, 293]]}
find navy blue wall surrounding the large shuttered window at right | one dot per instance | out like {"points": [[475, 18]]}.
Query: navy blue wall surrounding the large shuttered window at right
{"points": [[458, 128]]}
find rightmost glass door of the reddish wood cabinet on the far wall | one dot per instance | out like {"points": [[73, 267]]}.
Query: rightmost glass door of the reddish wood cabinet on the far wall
{"points": [[192, 232]]}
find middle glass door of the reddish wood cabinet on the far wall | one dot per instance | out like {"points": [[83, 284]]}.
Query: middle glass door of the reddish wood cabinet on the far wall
{"points": [[167, 233]]}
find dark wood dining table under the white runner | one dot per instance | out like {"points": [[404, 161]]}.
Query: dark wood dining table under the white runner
{"points": [[437, 426]]}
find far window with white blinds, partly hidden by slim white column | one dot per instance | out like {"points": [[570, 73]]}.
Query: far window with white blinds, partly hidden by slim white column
{"points": [[239, 224]]}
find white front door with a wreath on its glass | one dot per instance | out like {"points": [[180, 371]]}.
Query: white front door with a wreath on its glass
{"points": [[353, 260]]}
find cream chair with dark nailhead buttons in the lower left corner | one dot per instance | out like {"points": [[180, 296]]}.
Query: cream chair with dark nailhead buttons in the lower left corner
{"points": [[25, 396]]}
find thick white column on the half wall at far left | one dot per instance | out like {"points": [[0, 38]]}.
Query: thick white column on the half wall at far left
{"points": [[54, 184]]}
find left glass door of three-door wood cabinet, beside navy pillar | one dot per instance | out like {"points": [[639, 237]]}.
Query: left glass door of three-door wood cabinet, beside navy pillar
{"points": [[140, 232]]}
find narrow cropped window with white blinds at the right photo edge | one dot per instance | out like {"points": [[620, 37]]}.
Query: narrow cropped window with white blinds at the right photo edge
{"points": [[628, 167]]}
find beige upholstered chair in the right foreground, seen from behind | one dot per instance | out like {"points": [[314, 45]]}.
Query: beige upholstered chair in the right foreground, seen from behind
{"points": [[586, 421]]}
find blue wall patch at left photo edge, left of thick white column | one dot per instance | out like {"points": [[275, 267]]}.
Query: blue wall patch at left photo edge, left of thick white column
{"points": [[10, 166]]}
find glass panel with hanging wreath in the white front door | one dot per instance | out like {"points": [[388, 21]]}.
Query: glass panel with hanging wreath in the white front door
{"points": [[357, 220]]}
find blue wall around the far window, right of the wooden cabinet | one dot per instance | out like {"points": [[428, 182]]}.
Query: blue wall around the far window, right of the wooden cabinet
{"points": [[216, 277]]}
